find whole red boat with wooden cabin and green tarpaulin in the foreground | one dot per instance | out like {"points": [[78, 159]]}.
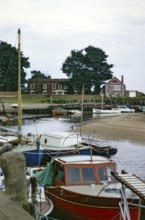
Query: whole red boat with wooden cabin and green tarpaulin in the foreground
{"points": [[82, 187]]}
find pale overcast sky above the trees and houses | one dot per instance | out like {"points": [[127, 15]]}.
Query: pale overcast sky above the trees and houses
{"points": [[50, 29]]}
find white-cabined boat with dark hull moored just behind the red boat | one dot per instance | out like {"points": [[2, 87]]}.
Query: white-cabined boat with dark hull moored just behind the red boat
{"points": [[66, 143]]}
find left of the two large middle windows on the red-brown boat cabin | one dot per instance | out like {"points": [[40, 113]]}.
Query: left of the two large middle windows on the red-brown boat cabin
{"points": [[73, 175]]}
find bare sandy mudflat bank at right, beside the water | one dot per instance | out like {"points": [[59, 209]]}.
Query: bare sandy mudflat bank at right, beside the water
{"points": [[125, 127]]}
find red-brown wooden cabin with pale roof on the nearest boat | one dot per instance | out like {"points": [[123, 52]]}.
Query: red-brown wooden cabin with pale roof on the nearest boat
{"points": [[82, 170]]}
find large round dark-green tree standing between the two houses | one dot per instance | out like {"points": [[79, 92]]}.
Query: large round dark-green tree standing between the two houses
{"points": [[89, 67]]}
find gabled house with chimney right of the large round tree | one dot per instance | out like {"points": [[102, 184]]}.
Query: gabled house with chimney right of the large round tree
{"points": [[114, 87]]}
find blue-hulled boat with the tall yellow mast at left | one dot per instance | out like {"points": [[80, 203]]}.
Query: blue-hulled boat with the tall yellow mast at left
{"points": [[31, 149]]}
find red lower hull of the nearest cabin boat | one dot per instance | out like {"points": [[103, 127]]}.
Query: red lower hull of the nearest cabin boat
{"points": [[78, 207]]}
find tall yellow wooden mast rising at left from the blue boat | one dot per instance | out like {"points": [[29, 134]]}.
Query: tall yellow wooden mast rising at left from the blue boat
{"points": [[19, 87]]}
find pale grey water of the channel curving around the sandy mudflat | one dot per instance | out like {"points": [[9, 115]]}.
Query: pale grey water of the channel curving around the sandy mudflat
{"points": [[130, 157]]}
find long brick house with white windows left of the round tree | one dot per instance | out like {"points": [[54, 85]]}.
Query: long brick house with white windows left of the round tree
{"points": [[47, 86]]}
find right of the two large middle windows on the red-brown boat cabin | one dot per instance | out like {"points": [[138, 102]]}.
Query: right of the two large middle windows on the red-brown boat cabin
{"points": [[88, 175]]}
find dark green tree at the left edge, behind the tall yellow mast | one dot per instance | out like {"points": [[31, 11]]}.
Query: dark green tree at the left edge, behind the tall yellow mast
{"points": [[9, 67]]}
